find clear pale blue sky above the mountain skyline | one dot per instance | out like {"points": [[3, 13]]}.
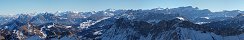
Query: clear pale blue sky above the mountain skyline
{"points": [[10, 7]]}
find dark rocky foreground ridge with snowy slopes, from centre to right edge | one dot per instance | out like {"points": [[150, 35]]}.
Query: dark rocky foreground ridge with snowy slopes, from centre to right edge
{"points": [[175, 29]]}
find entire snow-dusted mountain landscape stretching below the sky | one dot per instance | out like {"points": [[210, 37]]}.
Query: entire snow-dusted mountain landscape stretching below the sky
{"points": [[182, 23]]}
